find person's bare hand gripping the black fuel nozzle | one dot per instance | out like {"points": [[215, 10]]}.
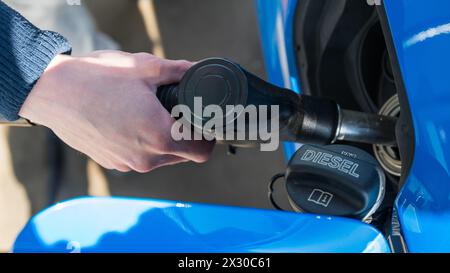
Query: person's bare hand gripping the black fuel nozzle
{"points": [[105, 105]]}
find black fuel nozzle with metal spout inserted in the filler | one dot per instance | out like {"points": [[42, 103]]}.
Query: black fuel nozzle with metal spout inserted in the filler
{"points": [[301, 118]]}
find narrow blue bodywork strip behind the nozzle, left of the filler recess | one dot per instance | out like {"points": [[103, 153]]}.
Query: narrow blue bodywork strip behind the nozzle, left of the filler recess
{"points": [[276, 22]]}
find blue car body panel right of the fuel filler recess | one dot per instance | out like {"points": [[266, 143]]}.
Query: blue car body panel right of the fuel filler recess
{"points": [[421, 33]]}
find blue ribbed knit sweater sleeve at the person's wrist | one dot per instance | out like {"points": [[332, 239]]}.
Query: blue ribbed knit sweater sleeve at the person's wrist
{"points": [[25, 52]]}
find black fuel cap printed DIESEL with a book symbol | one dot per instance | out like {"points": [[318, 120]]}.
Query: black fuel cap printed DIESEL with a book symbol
{"points": [[335, 180]]}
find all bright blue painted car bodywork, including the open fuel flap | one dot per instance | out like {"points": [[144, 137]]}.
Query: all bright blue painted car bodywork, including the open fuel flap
{"points": [[420, 40]]}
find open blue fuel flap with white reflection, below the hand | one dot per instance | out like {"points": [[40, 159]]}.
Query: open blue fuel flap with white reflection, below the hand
{"points": [[133, 225]]}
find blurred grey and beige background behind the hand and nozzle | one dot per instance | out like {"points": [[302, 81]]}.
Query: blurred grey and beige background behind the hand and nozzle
{"points": [[38, 170]]}
